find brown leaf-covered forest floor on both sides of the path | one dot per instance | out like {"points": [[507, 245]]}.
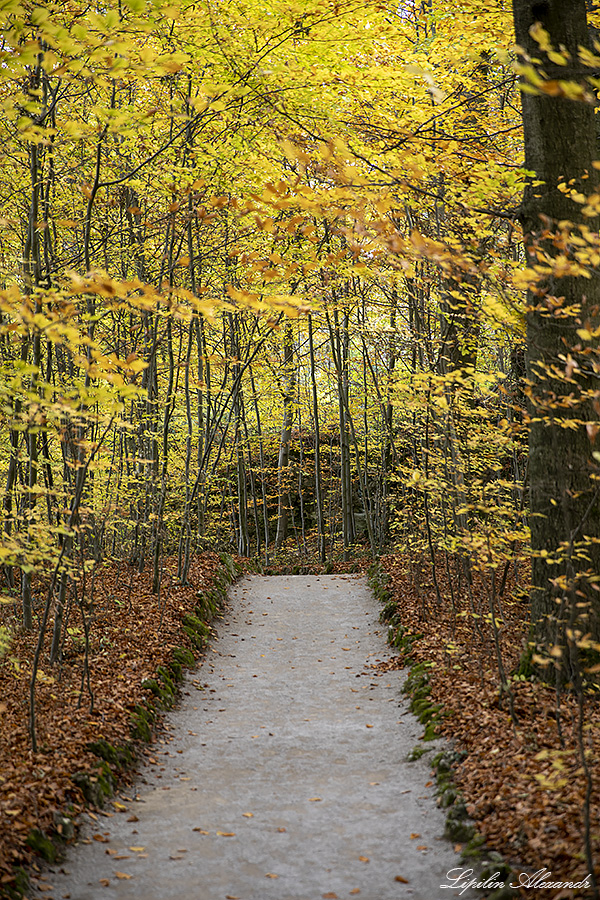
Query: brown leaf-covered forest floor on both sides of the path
{"points": [[523, 781]]}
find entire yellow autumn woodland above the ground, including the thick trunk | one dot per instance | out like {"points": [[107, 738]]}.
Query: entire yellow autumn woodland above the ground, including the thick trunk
{"points": [[276, 280]]}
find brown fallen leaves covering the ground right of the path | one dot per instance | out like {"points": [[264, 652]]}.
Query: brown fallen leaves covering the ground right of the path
{"points": [[523, 786]]}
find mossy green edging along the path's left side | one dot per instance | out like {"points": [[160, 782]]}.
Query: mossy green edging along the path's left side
{"points": [[99, 784]]}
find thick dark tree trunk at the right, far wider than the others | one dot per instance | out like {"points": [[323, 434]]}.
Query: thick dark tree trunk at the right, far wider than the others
{"points": [[560, 146]]}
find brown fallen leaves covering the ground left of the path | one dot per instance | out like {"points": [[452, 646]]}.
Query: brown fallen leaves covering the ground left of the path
{"points": [[132, 632]]}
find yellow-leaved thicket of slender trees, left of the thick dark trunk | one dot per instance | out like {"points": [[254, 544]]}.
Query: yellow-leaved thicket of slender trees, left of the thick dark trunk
{"points": [[259, 283]]}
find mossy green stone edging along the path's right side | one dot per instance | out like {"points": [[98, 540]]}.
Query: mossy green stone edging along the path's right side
{"points": [[459, 827]]}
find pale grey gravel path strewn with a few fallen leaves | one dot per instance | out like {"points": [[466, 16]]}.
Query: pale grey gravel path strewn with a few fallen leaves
{"points": [[282, 774]]}
